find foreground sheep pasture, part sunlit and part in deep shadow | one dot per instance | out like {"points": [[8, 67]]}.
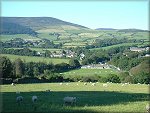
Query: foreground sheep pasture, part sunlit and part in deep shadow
{"points": [[90, 99]]}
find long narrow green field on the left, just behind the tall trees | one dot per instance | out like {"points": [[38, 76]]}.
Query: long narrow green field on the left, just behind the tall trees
{"points": [[36, 59]]}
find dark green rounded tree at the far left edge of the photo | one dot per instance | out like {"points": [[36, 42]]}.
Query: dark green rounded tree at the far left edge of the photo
{"points": [[5, 67]]}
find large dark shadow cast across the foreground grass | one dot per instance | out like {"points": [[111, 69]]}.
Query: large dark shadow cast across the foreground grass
{"points": [[52, 102]]}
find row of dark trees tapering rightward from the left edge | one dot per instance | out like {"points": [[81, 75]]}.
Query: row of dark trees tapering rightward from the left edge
{"points": [[19, 68]]}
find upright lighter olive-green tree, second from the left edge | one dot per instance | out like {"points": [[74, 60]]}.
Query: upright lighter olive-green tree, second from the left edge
{"points": [[19, 67]]}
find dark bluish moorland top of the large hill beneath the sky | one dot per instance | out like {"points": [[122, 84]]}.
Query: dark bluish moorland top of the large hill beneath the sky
{"points": [[37, 22]]}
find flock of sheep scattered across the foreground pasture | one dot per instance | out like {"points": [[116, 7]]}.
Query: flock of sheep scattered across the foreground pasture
{"points": [[67, 100]]}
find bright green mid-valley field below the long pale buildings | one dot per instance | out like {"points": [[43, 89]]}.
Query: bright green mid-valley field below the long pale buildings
{"points": [[90, 72]]}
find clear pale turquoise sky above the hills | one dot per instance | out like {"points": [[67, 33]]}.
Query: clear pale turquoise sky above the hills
{"points": [[93, 14]]}
